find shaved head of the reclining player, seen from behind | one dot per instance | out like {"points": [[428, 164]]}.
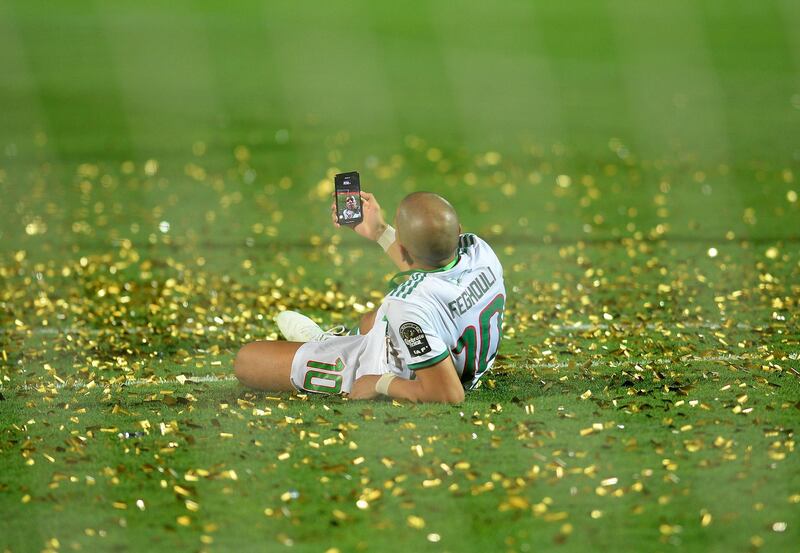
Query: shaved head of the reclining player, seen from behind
{"points": [[428, 228]]}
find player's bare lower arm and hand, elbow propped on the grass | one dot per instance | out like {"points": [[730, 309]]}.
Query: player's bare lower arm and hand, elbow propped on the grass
{"points": [[438, 383]]}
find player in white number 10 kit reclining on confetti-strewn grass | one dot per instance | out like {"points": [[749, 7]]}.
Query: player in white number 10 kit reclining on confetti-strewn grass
{"points": [[433, 336]]}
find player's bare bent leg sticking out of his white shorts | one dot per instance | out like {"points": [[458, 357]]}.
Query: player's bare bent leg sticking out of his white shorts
{"points": [[266, 365]]}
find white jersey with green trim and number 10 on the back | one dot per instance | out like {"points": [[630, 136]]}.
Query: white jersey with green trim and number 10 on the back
{"points": [[453, 311]]}
